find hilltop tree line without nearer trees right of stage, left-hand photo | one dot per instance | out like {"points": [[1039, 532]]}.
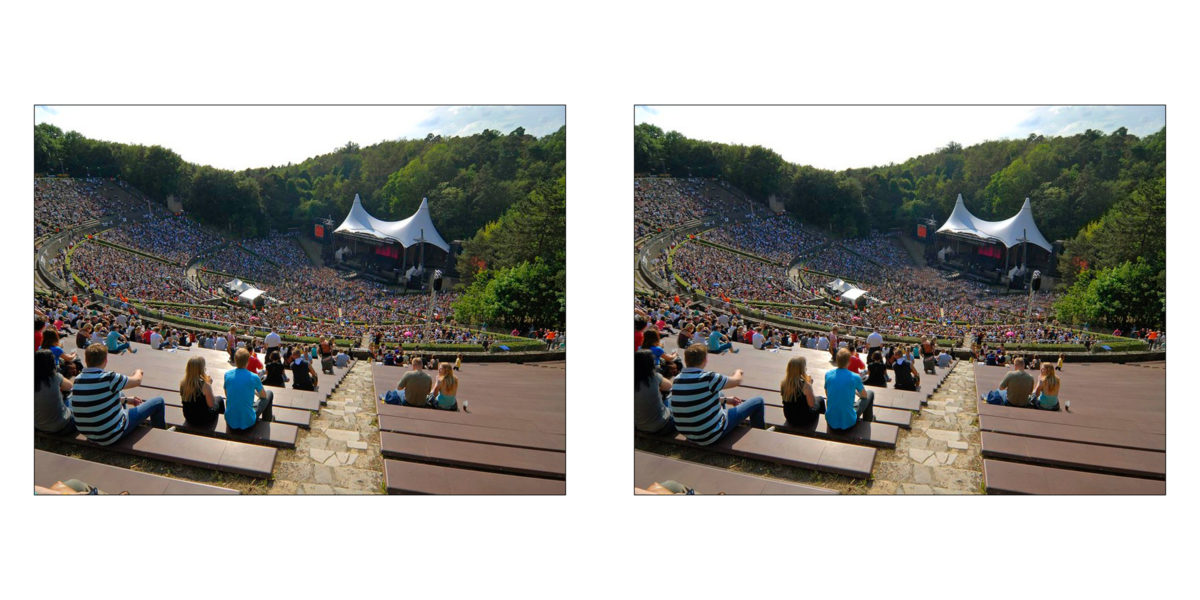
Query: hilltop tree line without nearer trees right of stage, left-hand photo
{"points": [[470, 181]]}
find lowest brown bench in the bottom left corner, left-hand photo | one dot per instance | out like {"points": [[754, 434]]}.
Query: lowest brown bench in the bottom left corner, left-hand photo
{"points": [[50, 467]]}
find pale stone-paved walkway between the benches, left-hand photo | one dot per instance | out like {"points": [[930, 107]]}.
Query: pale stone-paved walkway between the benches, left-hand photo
{"points": [[340, 453]]}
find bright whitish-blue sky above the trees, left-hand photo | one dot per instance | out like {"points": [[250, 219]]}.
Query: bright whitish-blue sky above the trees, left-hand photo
{"points": [[244, 137]]}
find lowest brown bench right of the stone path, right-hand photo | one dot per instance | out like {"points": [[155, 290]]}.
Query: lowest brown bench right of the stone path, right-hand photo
{"points": [[1003, 477]]}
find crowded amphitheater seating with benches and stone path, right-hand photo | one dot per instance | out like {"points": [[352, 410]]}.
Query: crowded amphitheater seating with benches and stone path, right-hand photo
{"points": [[717, 255]]}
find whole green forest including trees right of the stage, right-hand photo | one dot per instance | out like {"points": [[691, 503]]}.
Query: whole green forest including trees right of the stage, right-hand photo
{"points": [[1106, 195]]}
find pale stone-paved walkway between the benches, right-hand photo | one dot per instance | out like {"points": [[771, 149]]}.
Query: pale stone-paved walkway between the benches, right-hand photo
{"points": [[941, 454]]}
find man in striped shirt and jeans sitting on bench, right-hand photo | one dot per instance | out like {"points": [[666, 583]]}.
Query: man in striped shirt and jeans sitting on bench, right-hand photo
{"points": [[697, 406]]}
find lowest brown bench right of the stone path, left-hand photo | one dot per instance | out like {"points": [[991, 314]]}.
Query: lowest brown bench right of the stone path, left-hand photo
{"points": [[405, 478]]}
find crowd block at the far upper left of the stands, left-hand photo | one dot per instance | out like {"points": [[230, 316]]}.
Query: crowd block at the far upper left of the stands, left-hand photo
{"points": [[64, 203]]}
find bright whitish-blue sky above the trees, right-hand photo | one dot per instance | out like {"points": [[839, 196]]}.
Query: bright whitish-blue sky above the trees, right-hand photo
{"points": [[842, 137]]}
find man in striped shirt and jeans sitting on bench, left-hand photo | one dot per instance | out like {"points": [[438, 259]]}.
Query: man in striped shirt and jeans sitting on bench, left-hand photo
{"points": [[98, 407]]}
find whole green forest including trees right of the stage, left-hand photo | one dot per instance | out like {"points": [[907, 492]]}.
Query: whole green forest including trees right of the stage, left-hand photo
{"points": [[505, 195]]}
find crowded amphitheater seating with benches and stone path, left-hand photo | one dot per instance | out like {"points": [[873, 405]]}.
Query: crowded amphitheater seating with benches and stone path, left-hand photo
{"points": [[101, 256]]}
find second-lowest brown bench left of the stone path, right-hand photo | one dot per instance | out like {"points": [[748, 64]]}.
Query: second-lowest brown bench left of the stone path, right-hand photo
{"points": [[778, 448]]}
